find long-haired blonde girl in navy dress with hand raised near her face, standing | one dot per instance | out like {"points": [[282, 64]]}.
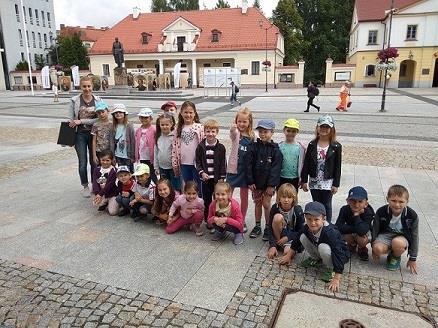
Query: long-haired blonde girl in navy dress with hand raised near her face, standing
{"points": [[241, 135]]}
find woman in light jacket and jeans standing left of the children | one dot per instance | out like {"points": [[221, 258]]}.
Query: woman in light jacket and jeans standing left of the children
{"points": [[82, 117]]}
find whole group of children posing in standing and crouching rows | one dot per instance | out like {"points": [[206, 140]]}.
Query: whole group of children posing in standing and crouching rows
{"points": [[183, 178]]}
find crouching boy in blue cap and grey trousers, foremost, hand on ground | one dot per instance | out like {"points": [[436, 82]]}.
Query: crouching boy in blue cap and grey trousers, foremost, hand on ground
{"points": [[323, 242]]}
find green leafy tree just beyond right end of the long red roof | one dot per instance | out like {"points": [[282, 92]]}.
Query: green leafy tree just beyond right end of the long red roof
{"points": [[286, 17]]}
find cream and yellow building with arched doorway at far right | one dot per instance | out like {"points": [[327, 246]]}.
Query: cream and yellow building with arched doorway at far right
{"points": [[414, 32]]}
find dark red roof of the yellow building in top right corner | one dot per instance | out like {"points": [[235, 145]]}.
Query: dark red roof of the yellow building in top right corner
{"points": [[374, 10]]}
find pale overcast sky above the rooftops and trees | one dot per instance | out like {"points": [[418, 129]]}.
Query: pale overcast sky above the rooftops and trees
{"points": [[106, 13]]}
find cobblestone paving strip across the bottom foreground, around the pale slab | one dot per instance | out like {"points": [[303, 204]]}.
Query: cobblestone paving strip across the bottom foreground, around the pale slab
{"points": [[31, 297]]}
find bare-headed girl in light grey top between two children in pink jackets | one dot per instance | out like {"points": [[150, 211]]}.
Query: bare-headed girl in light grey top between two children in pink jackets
{"points": [[163, 149]]}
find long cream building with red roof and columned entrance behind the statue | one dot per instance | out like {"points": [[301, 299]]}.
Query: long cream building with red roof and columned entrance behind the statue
{"points": [[235, 37]]}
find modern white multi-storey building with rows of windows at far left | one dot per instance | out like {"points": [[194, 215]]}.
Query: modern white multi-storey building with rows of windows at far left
{"points": [[39, 19]]}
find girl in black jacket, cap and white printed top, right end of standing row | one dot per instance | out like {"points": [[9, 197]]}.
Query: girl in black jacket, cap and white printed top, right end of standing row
{"points": [[322, 163]]}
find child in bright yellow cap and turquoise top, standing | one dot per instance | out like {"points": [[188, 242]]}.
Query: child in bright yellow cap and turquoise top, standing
{"points": [[293, 154]]}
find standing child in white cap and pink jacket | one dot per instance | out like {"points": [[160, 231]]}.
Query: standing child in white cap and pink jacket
{"points": [[145, 141]]}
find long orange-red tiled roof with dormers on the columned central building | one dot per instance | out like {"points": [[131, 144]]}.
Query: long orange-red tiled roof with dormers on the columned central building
{"points": [[238, 31]]}
